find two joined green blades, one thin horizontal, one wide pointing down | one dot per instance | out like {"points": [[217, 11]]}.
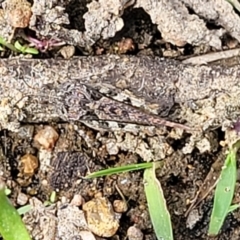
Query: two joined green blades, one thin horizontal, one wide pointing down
{"points": [[158, 211]]}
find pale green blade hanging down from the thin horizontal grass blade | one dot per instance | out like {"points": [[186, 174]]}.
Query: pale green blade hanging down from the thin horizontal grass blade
{"points": [[158, 211]]}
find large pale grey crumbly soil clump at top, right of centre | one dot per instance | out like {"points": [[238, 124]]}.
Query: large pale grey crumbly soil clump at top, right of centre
{"points": [[176, 25]]}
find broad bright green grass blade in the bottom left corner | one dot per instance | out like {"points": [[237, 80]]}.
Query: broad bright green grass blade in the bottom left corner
{"points": [[11, 225]]}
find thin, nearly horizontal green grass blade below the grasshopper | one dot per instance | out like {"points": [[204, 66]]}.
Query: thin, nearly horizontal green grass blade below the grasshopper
{"points": [[126, 168]]}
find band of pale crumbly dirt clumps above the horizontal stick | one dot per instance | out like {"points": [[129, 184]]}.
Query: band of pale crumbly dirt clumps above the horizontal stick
{"points": [[97, 27]]}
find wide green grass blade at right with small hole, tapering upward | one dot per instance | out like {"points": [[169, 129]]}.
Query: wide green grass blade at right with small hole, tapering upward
{"points": [[224, 193]]}
